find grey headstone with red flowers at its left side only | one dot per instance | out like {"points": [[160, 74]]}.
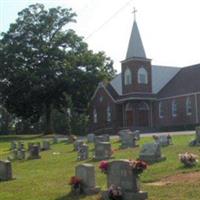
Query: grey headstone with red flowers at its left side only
{"points": [[87, 174]]}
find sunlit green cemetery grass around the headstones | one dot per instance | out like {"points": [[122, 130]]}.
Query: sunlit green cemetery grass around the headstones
{"points": [[47, 178]]}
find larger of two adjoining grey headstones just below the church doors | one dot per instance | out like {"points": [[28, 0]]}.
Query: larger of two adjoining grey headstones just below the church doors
{"points": [[128, 140]]}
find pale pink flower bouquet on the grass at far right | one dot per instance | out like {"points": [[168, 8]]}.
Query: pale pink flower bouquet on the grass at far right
{"points": [[188, 159]]}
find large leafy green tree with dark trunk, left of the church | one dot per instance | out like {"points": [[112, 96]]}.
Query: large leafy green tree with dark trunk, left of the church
{"points": [[43, 62]]}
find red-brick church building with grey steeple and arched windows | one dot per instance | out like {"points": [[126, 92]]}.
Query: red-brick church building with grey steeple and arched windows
{"points": [[145, 96]]}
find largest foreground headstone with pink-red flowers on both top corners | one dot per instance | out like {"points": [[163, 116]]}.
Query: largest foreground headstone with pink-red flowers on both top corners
{"points": [[120, 174]]}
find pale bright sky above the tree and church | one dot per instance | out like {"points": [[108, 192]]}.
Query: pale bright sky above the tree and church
{"points": [[170, 29]]}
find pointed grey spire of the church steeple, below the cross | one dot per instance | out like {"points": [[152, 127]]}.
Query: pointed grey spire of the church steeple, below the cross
{"points": [[135, 46]]}
